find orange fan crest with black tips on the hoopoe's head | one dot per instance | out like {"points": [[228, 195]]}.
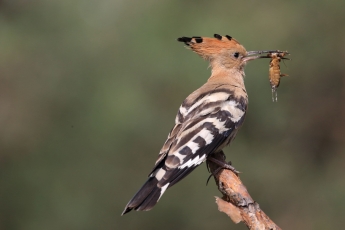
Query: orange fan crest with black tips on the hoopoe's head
{"points": [[209, 48]]}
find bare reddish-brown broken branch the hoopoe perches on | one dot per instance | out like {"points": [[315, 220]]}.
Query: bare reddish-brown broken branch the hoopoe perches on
{"points": [[236, 201]]}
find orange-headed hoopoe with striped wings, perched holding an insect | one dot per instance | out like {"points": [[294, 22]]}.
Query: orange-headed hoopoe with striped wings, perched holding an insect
{"points": [[207, 120]]}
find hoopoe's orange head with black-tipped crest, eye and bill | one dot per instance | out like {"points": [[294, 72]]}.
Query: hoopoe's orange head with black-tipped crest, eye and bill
{"points": [[221, 51]]}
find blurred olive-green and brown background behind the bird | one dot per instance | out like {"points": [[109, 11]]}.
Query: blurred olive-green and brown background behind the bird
{"points": [[89, 91]]}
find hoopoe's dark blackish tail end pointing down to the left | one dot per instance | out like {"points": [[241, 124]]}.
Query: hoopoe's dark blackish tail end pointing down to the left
{"points": [[146, 197]]}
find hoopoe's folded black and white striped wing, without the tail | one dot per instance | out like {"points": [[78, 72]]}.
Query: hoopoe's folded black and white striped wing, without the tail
{"points": [[197, 138]]}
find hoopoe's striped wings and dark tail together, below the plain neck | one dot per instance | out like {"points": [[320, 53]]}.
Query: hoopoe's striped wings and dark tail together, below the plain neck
{"points": [[202, 128]]}
